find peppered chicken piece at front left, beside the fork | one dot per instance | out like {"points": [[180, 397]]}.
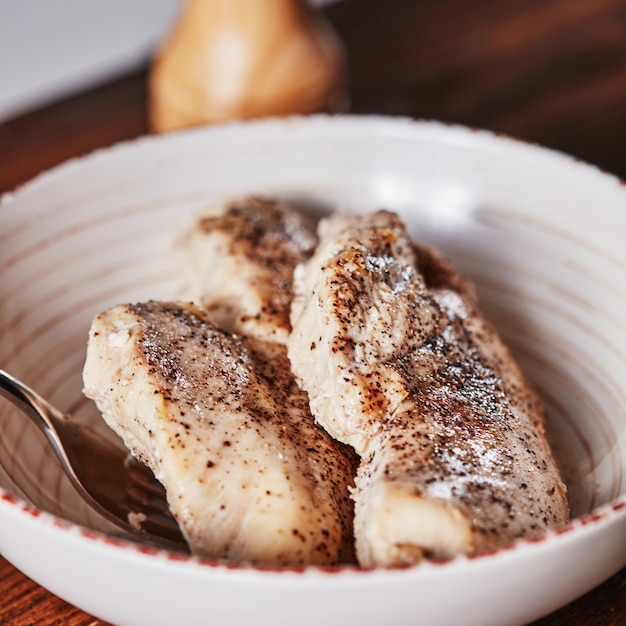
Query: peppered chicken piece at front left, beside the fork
{"points": [[249, 475]]}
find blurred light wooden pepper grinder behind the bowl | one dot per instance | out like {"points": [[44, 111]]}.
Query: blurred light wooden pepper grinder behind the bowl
{"points": [[239, 59]]}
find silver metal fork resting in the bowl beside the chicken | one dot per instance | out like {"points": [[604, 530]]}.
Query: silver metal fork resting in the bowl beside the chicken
{"points": [[119, 488]]}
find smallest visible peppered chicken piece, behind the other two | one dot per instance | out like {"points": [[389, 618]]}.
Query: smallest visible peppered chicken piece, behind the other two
{"points": [[238, 261]]}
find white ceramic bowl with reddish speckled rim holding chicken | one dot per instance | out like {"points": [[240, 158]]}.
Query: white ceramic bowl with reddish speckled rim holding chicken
{"points": [[542, 236]]}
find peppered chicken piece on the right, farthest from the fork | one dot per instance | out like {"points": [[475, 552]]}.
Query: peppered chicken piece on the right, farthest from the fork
{"points": [[454, 458]]}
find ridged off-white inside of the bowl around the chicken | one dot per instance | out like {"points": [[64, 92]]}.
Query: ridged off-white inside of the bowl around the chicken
{"points": [[542, 236]]}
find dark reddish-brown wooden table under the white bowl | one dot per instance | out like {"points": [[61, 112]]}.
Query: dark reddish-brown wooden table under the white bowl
{"points": [[547, 71]]}
